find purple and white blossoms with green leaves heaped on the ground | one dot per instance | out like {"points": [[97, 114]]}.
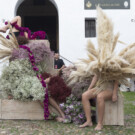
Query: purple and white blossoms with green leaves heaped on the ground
{"points": [[73, 110]]}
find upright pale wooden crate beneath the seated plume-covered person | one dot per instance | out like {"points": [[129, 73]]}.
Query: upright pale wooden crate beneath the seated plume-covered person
{"points": [[114, 112]]}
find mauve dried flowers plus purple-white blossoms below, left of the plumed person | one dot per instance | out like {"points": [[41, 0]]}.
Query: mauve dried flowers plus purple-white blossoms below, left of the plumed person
{"points": [[73, 106]]}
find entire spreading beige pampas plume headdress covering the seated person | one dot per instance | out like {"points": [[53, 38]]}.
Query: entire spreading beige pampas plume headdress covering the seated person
{"points": [[103, 61]]}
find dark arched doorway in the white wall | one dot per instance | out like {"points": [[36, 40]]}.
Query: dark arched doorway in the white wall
{"points": [[41, 15]]}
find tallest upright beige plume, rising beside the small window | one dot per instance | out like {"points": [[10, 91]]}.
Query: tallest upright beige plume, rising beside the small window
{"points": [[105, 34]]}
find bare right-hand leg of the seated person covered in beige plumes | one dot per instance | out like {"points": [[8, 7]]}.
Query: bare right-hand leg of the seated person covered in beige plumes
{"points": [[101, 97]]}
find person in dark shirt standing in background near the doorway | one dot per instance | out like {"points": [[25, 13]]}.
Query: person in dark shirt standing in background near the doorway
{"points": [[58, 63]]}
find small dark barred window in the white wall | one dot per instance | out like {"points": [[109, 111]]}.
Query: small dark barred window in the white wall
{"points": [[90, 27]]}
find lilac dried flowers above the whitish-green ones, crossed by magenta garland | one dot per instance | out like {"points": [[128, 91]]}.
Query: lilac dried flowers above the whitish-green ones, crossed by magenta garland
{"points": [[42, 54]]}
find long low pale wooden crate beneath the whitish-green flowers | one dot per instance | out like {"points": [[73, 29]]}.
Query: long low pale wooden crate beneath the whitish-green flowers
{"points": [[14, 109]]}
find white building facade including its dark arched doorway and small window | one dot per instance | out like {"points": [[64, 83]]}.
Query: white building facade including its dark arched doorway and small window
{"points": [[69, 23]]}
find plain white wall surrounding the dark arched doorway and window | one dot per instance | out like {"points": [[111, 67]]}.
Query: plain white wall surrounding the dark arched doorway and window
{"points": [[72, 41]]}
